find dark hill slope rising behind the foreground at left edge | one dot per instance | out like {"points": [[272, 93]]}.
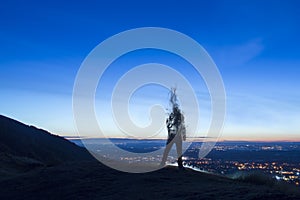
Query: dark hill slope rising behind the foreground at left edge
{"points": [[23, 147]]}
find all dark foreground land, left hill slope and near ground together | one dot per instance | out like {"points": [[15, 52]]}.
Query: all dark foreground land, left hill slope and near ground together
{"points": [[28, 174]]}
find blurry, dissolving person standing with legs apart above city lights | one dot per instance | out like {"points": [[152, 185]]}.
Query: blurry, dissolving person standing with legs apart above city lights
{"points": [[176, 131]]}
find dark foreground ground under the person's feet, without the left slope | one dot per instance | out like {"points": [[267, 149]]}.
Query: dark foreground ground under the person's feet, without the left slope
{"points": [[91, 180]]}
